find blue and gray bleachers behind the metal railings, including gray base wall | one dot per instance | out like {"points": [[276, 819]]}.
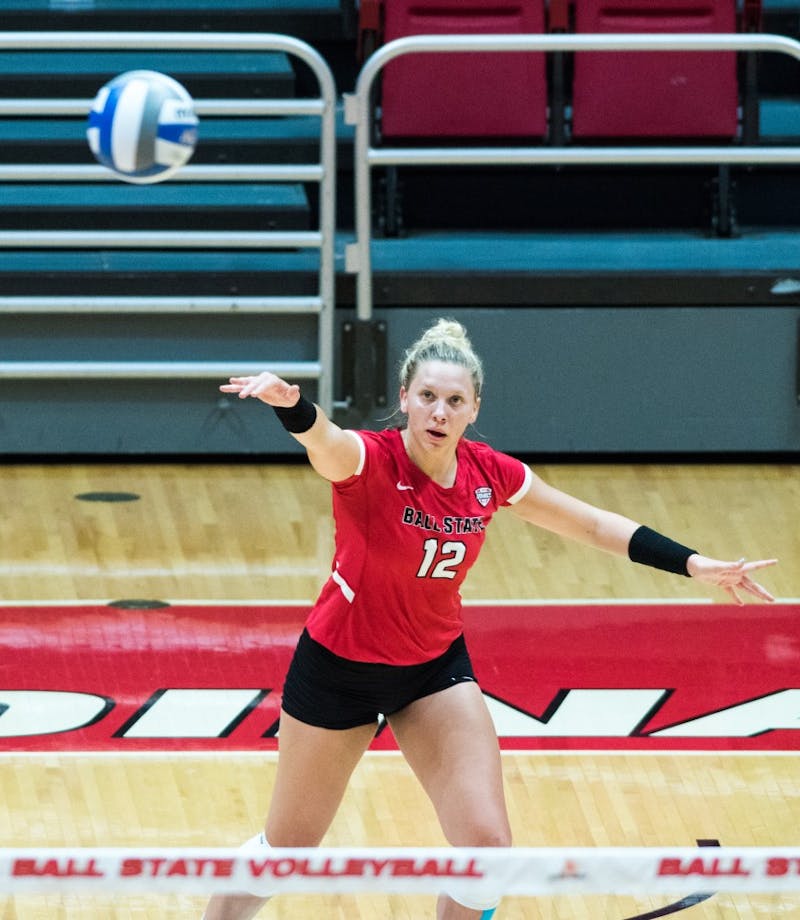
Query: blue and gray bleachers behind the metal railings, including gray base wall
{"points": [[603, 298]]}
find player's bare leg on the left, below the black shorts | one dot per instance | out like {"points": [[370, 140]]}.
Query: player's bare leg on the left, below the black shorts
{"points": [[314, 767]]}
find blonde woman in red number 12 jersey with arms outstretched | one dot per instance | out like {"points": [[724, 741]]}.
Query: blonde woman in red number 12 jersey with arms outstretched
{"points": [[411, 506]]}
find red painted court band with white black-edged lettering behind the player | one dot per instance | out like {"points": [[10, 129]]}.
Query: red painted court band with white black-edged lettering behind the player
{"points": [[208, 678]]}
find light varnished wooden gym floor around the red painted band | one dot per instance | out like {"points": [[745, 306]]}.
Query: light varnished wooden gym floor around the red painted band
{"points": [[262, 533]]}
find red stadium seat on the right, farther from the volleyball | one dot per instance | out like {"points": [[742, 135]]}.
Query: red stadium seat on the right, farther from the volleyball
{"points": [[660, 93]]}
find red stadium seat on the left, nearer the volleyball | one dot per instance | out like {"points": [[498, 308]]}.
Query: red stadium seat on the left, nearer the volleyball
{"points": [[491, 94]]}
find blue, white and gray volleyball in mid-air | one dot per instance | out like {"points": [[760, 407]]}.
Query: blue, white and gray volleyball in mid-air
{"points": [[142, 126]]}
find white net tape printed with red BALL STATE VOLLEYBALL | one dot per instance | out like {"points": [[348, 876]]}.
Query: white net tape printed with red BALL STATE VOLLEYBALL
{"points": [[515, 871]]}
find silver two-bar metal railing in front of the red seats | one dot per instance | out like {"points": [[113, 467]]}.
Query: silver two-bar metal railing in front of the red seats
{"points": [[358, 112]]}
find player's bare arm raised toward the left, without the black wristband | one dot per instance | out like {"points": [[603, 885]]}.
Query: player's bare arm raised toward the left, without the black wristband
{"points": [[334, 453]]}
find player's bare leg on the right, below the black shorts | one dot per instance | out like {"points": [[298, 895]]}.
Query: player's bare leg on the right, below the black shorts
{"points": [[449, 740]]}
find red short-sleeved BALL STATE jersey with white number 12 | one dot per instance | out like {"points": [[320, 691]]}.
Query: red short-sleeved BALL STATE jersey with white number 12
{"points": [[404, 545]]}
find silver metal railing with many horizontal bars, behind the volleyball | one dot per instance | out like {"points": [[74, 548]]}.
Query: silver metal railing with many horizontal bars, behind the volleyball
{"points": [[323, 172]]}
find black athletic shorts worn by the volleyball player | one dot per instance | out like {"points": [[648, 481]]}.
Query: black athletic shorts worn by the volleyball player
{"points": [[326, 690]]}
